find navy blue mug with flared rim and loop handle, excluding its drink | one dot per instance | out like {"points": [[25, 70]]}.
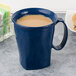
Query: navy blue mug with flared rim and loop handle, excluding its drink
{"points": [[35, 43]]}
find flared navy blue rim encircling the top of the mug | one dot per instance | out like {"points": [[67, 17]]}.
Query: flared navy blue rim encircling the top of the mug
{"points": [[33, 27]]}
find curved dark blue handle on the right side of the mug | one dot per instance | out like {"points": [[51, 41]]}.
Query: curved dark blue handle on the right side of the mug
{"points": [[62, 44]]}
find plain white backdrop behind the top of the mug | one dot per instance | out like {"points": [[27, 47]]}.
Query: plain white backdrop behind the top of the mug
{"points": [[54, 5]]}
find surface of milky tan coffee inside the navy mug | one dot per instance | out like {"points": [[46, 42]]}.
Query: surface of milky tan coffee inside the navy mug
{"points": [[34, 20]]}
